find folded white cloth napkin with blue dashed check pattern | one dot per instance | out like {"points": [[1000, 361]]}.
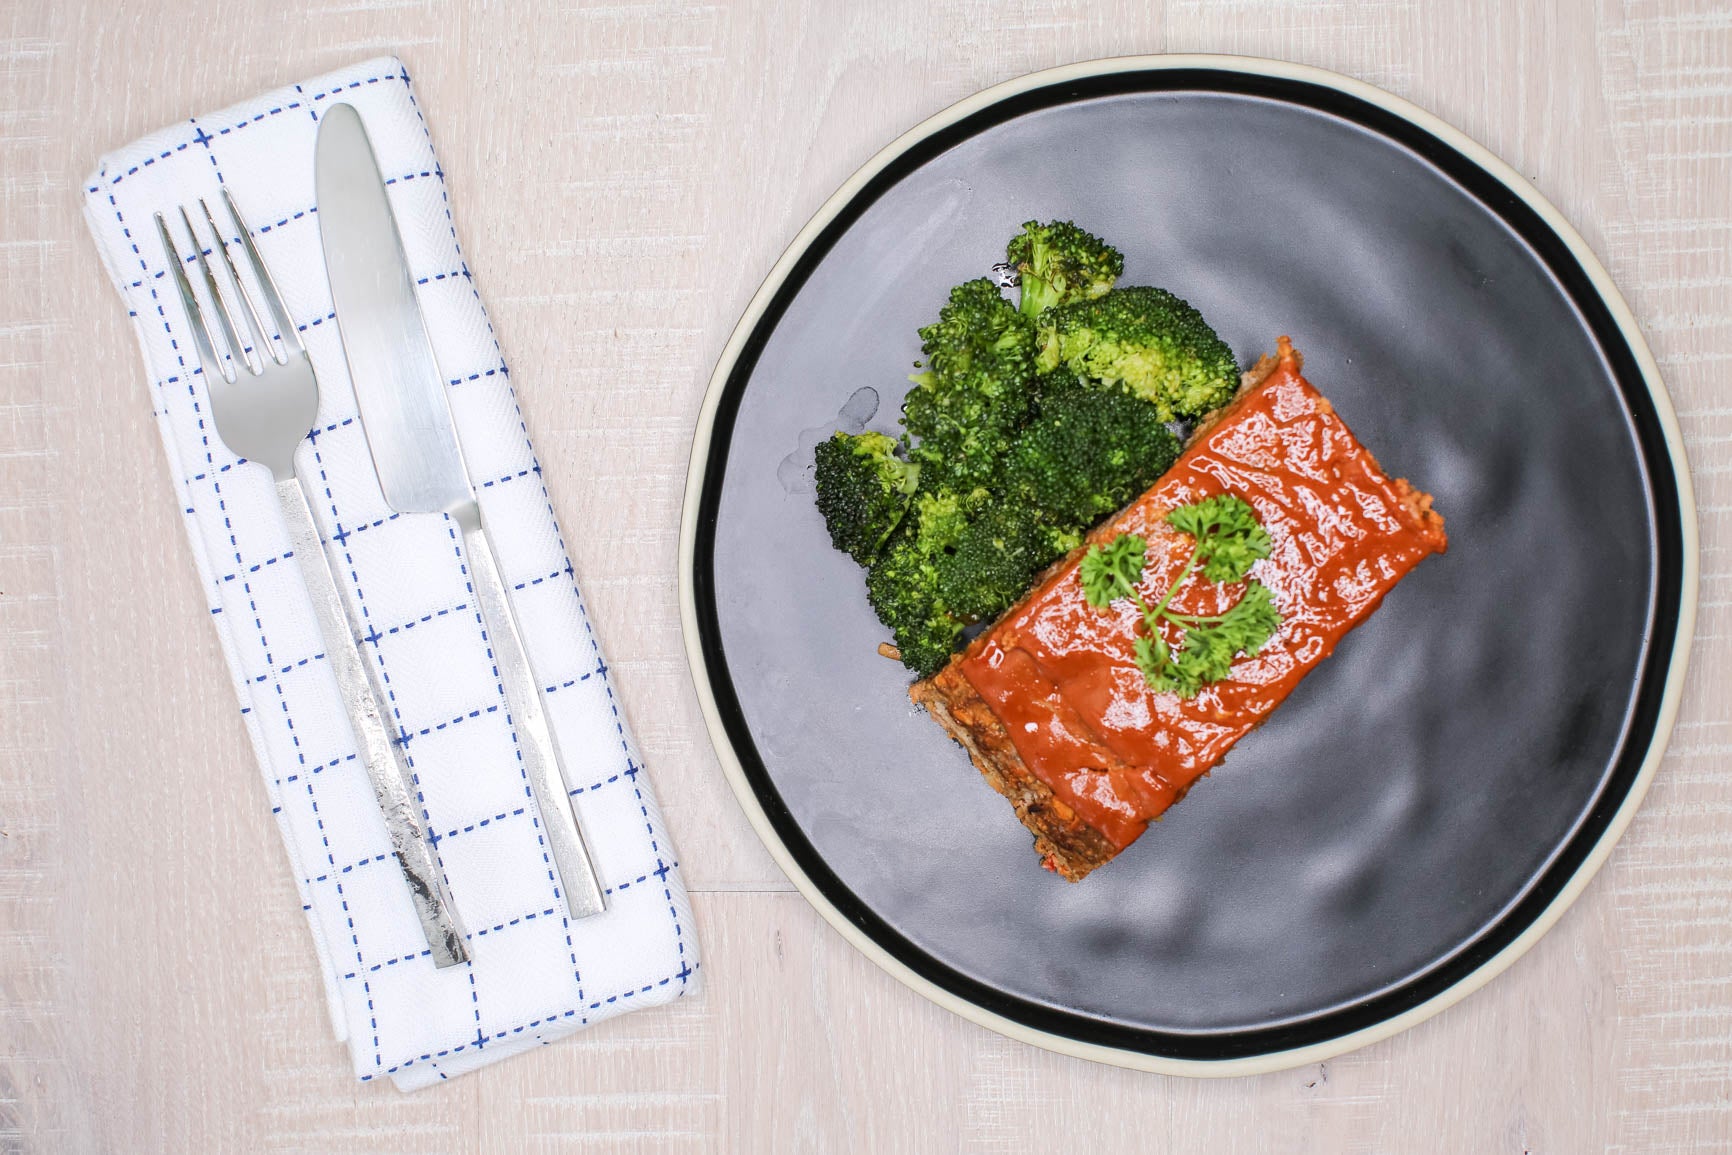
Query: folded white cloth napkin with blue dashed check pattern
{"points": [[536, 974]]}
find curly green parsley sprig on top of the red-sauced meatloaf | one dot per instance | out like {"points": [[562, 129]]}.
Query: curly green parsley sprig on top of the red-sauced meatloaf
{"points": [[1229, 543]]}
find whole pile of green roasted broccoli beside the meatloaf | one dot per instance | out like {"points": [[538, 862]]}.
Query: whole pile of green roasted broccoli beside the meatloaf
{"points": [[1026, 427]]}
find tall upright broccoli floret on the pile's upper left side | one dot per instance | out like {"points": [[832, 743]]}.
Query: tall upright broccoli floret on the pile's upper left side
{"points": [[974, 392]]}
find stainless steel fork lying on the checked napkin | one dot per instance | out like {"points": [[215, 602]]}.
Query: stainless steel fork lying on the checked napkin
{"points": [[264, 416]]}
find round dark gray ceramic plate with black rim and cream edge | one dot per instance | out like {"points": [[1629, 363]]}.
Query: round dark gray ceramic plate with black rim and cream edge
{"points": [[1431, 797]]}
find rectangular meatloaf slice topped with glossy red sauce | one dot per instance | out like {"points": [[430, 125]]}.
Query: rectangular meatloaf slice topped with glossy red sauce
{"points": [[1050, 704]]}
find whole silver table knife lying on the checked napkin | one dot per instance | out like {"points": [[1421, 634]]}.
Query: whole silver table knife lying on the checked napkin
{"points": [[418, 453]]}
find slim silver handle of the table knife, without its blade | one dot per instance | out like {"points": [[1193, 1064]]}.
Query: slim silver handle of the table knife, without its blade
{"points": [[536, 742]]}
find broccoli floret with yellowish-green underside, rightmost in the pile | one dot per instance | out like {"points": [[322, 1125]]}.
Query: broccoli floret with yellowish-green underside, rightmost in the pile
{"points": [[1147, 340]]}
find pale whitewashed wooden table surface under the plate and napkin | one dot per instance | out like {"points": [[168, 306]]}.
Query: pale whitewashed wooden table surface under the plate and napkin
{"points": [[624, 176]]}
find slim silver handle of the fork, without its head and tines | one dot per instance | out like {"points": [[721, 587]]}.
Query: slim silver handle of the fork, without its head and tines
{"points": [[378, 752]]}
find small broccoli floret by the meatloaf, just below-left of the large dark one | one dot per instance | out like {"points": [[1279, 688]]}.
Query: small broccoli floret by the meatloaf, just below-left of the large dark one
{"points": [[997, 558]]}
